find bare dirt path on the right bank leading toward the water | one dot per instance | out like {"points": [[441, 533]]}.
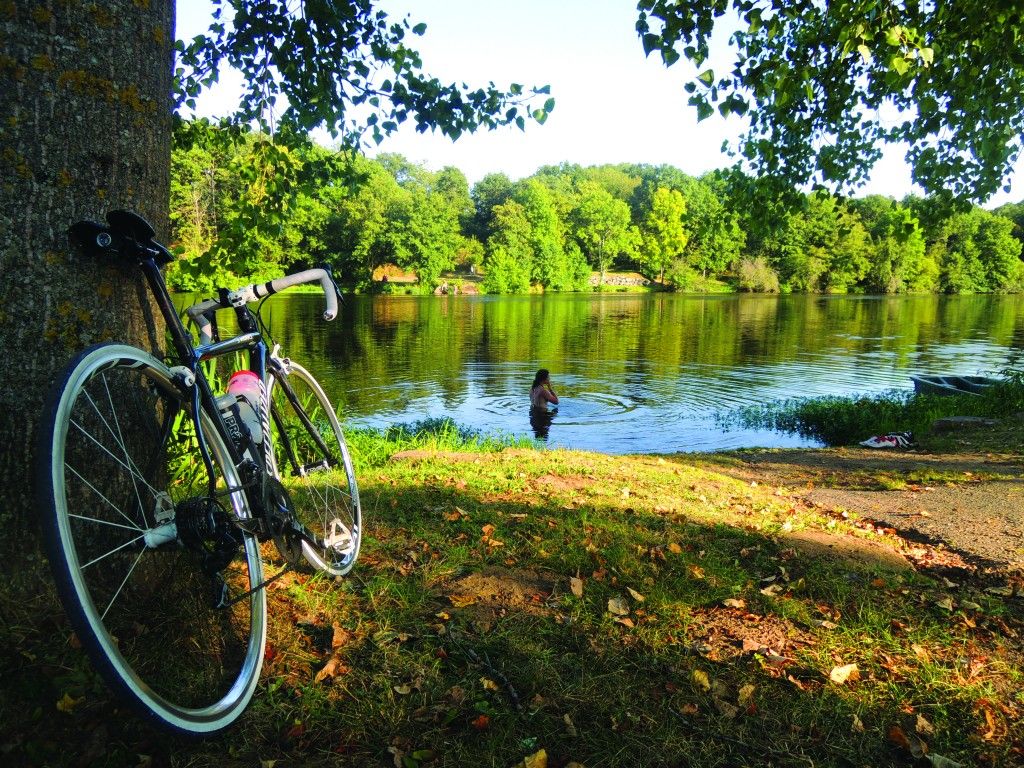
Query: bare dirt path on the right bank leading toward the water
{"points": [[969, 503]]}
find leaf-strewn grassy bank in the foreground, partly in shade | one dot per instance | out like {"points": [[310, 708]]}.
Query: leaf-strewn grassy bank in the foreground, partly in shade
{"points": [[462, 638]]}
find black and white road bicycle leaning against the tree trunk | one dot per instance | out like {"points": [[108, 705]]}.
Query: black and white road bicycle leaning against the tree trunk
{"points": [[157, 498]]}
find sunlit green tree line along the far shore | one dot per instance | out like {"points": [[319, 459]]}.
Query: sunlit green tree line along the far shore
{"points": [[243, 205]]}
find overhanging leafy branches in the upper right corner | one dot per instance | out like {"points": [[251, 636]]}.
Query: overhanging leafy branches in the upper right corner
{"points": [[821, 83]]}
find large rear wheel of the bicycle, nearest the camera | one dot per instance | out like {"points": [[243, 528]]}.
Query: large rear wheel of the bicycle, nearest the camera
{"points": [[123, 485]]}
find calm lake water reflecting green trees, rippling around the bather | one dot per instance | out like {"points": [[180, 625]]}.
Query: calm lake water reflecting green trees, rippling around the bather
{"points": [[637, 374]]}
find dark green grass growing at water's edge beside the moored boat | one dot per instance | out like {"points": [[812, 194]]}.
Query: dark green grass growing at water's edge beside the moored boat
{"points": [[844, 421]]}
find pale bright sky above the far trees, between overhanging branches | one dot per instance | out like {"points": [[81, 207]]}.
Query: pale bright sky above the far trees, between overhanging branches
{"points": [[613, 104]]}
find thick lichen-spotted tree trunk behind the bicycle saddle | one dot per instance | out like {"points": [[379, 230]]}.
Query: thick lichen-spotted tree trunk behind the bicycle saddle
{"points": [[84, 129]]}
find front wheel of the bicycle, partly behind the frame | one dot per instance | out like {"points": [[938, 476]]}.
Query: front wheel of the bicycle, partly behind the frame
{"points": [[312, 460]]}
